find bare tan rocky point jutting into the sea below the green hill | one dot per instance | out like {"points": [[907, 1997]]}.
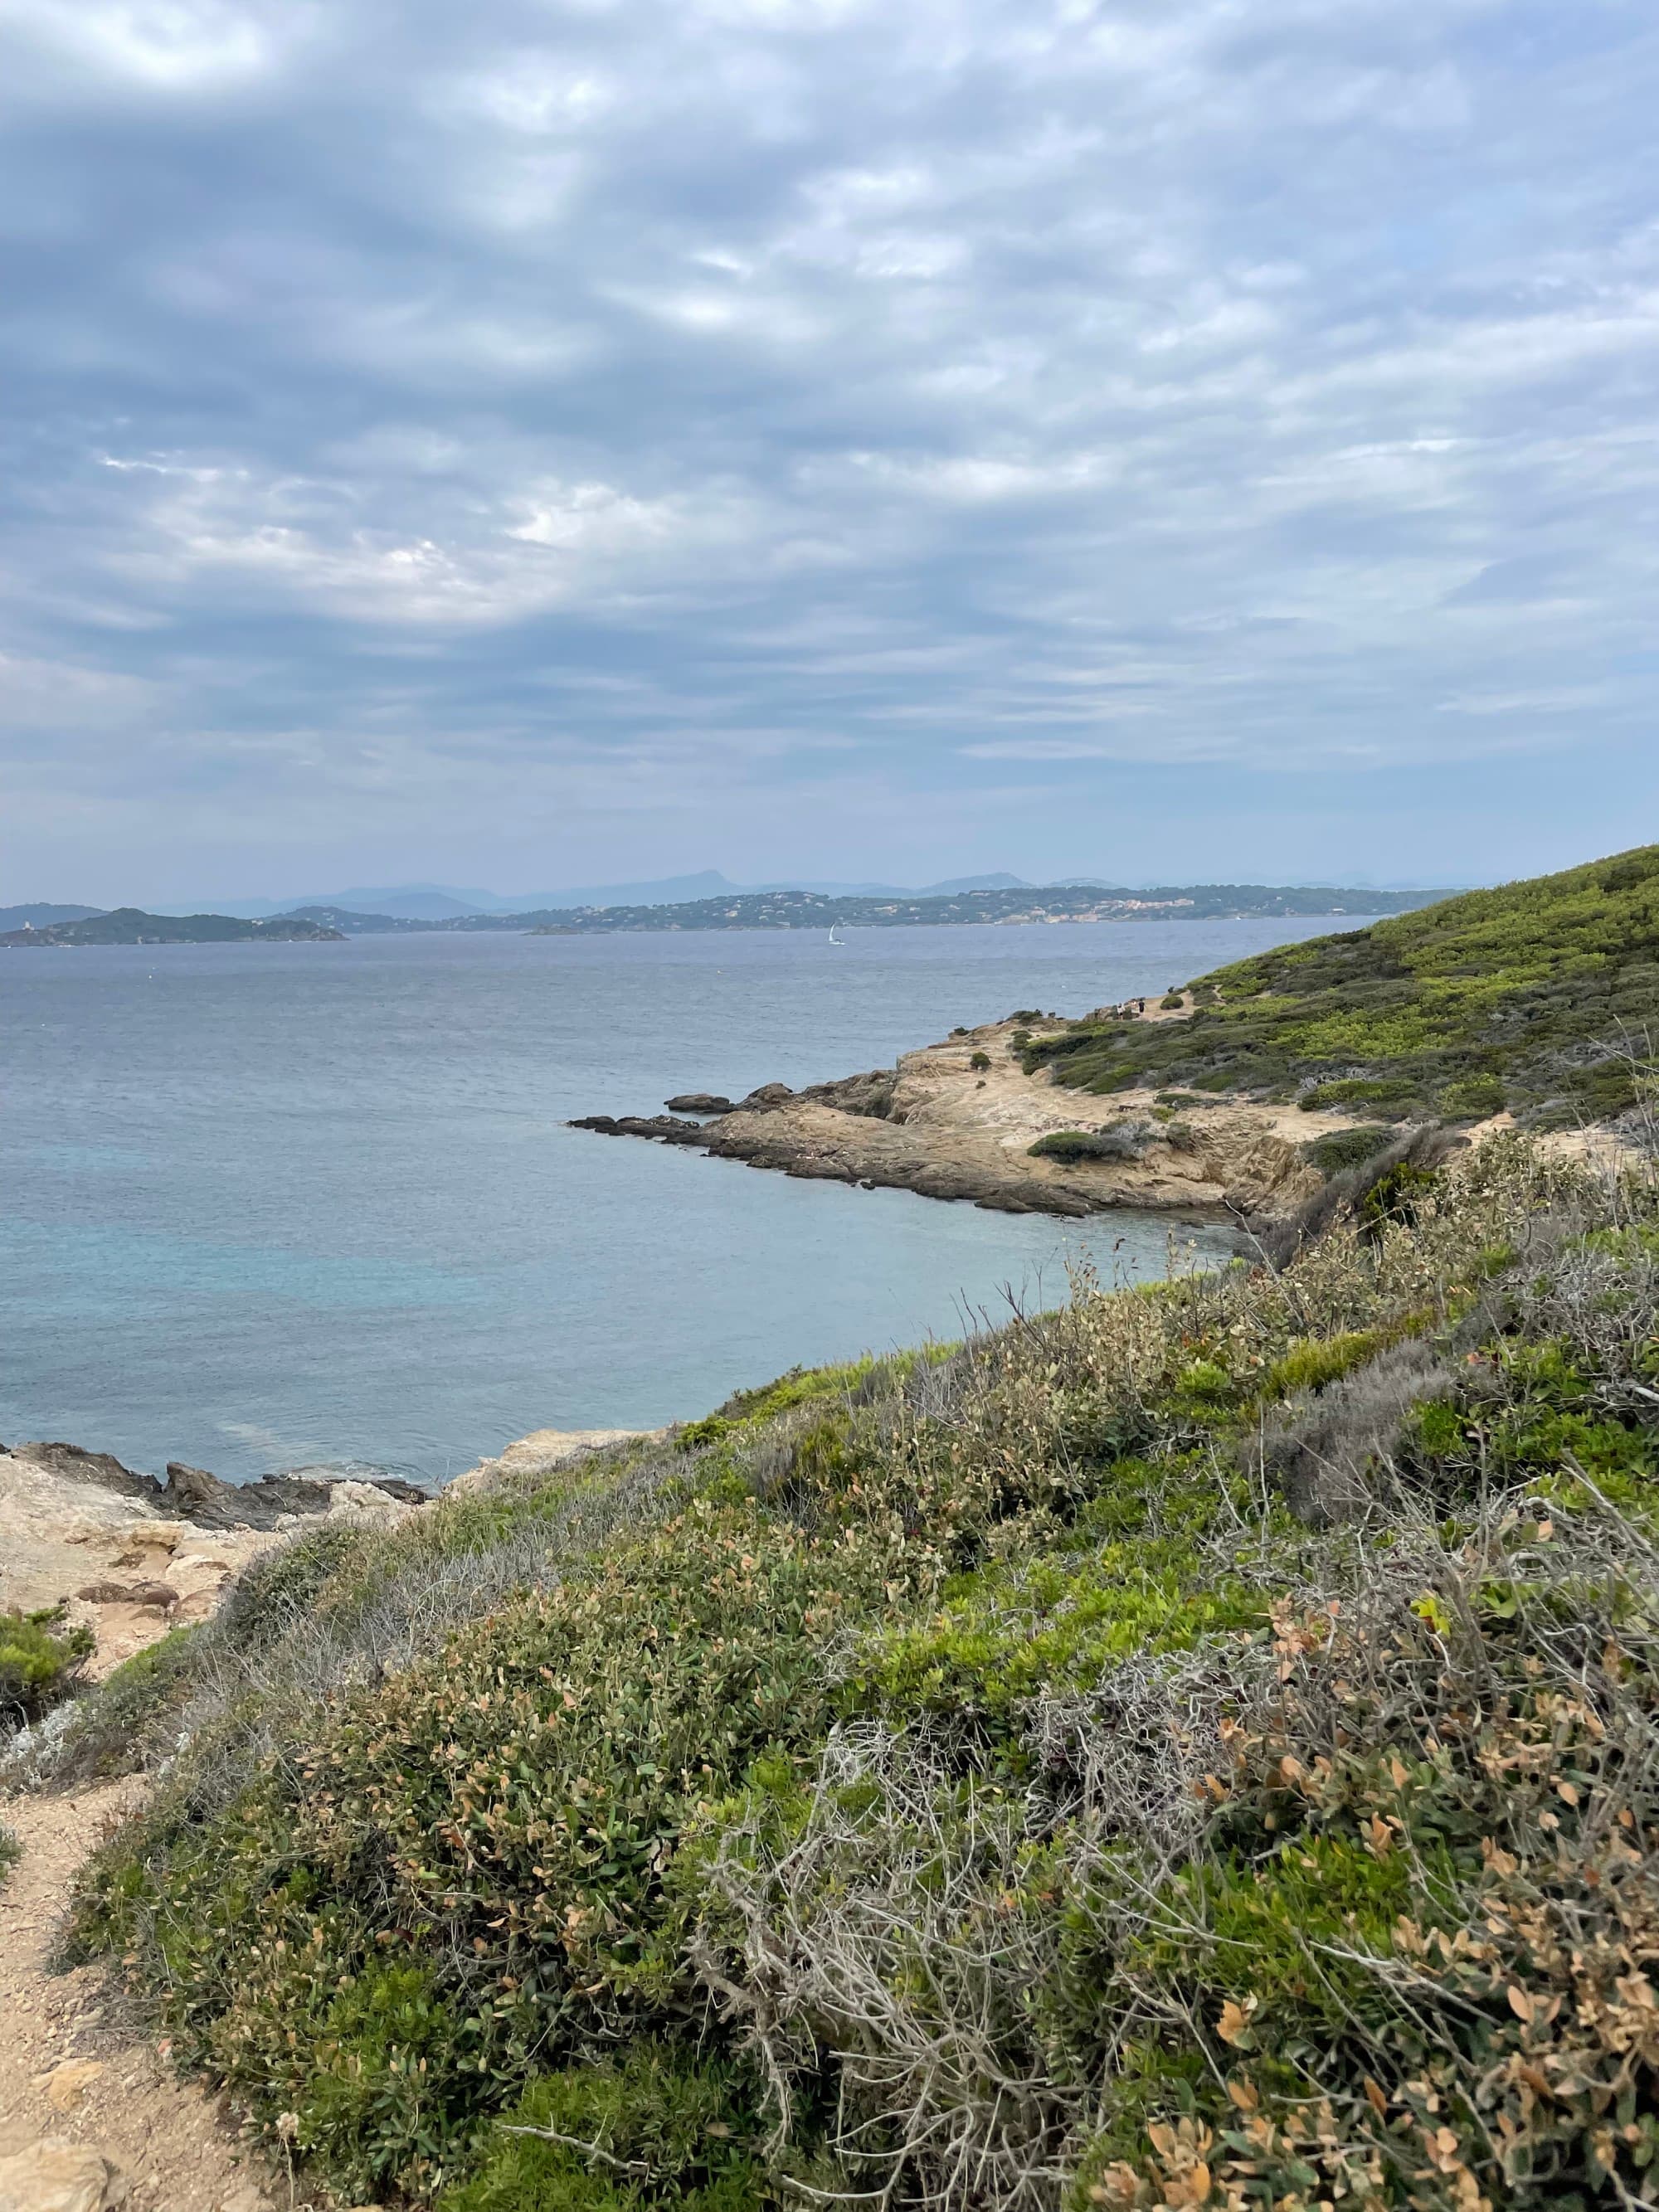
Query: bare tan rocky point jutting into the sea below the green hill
{"points": [[959, 1120]]}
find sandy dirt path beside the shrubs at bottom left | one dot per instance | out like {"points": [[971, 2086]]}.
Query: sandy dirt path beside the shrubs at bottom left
{"points": [[92, 2116]]}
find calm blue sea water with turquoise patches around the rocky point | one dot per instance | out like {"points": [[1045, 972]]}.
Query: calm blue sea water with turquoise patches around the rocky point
{"points": [[313, 1204]]}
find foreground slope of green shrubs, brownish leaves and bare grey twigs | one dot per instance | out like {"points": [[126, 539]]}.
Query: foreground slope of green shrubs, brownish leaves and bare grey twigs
{"points": [[1191, 1749]]}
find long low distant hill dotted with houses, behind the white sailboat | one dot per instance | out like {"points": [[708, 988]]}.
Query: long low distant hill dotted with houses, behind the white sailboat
{"points": [[817, 910]]}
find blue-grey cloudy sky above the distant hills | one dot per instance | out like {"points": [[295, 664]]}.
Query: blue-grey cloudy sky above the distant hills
{"points": [[550, 441]]}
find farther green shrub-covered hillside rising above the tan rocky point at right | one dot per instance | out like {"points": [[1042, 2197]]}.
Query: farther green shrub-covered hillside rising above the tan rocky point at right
{"points": [[1536, 999]]}
